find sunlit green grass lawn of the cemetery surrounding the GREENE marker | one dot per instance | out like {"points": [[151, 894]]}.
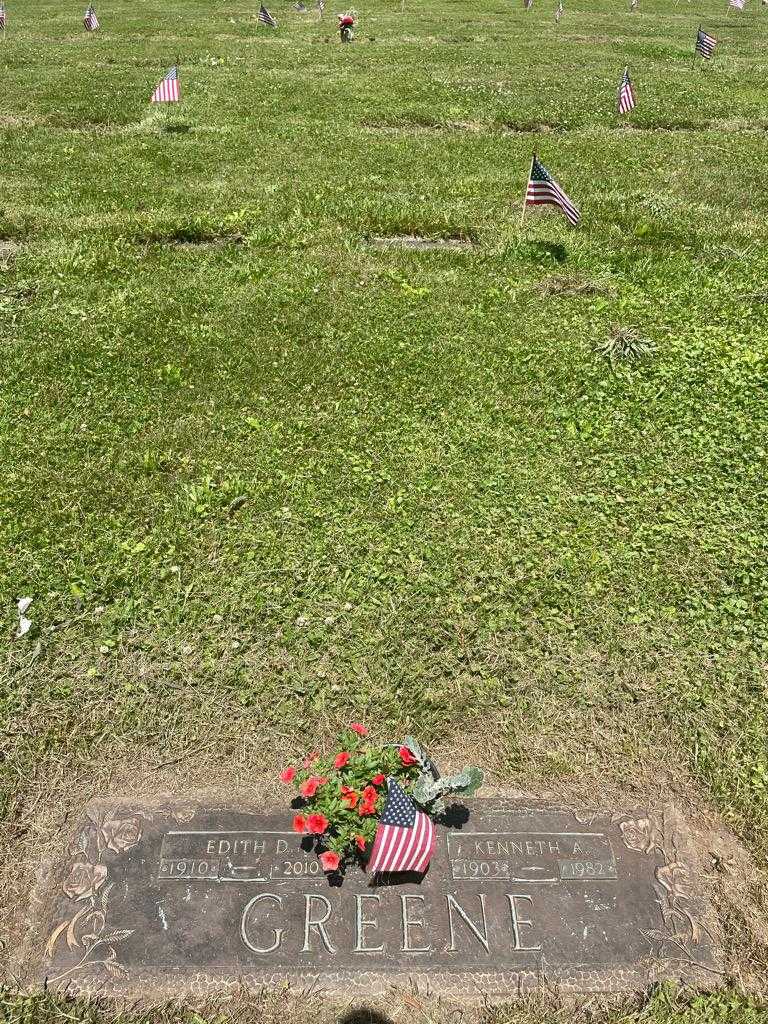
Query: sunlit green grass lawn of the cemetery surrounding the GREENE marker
{"points": [[263, 477]]}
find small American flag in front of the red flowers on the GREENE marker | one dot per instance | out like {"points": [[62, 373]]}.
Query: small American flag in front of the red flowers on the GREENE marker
{"points": [[406, 837]]}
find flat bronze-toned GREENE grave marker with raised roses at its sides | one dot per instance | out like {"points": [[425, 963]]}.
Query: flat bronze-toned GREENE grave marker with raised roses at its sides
{"points": [[187, 899]]}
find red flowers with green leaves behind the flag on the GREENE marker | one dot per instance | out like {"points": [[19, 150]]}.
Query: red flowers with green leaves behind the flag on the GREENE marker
{"points": [[344, 795]]}
